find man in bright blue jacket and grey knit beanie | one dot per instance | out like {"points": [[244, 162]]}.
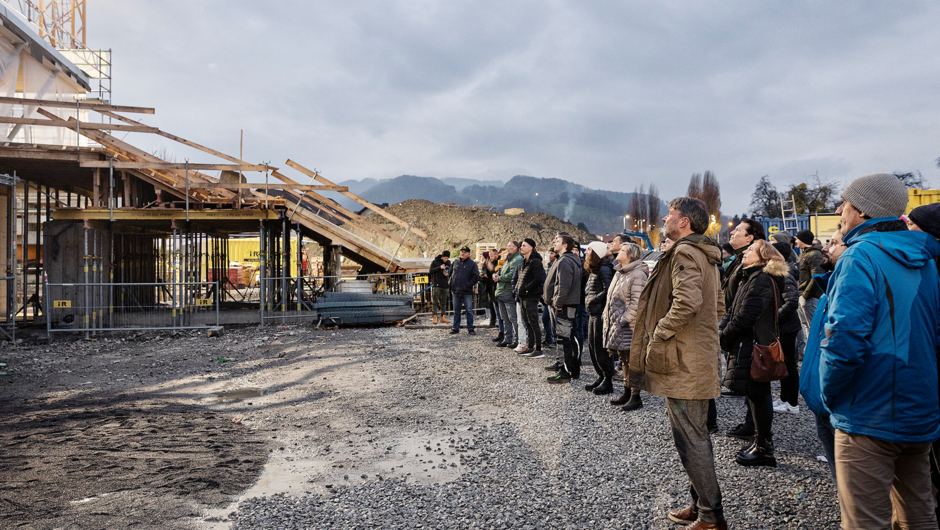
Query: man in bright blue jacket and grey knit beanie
{"points": [[878, 366]]}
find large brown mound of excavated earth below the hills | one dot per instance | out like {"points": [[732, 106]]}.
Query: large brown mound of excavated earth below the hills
{"points": [[450, 228]]}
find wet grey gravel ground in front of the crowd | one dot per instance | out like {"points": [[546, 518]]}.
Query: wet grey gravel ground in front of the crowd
{"points": [[391, 428]]}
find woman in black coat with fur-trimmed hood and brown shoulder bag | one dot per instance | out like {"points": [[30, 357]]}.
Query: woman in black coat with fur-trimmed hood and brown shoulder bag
{"points": [[753, 318]]}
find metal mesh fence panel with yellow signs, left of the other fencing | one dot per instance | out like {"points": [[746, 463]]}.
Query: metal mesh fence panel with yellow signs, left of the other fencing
{"points": [[94, 307]]}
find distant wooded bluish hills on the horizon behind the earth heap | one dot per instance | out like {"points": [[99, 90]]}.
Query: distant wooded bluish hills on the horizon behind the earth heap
{"points": [[601, 211]]}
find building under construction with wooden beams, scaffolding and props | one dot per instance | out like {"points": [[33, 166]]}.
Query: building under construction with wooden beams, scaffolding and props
{"points": [[89, 222]]}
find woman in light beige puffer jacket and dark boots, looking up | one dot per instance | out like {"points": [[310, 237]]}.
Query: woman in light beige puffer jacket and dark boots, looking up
{"points": [[630, 275]]}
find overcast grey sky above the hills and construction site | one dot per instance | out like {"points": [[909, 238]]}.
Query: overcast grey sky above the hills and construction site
{"points": [[611, 95]]}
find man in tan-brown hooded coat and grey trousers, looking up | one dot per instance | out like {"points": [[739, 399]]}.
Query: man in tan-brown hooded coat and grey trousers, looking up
{"points": [[675, 350]]}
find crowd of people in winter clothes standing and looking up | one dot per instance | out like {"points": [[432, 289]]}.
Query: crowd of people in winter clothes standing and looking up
{"points": [[857, 321]]}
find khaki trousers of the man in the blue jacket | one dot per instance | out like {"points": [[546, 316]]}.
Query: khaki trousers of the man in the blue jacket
{"points": [[883, 485]]}
